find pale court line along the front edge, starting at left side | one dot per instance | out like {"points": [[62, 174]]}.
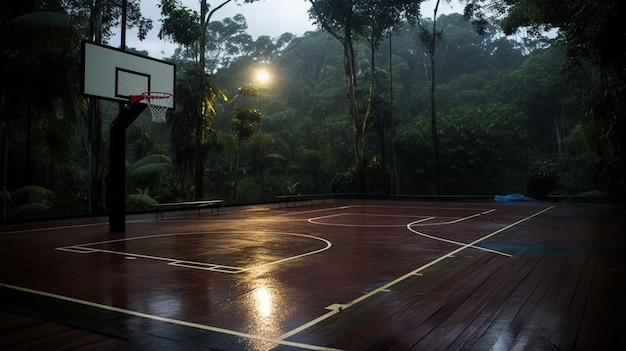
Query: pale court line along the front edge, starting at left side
{"points": [[167, 320]]}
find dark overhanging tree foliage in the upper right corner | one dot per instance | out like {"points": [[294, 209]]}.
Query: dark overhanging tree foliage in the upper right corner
{"points": [[584, 28]]}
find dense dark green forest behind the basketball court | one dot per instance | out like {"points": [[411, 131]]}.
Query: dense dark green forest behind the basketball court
{"points": [[510, 111]]}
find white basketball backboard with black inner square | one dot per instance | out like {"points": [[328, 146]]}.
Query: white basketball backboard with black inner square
{"points": [[115, 75]]}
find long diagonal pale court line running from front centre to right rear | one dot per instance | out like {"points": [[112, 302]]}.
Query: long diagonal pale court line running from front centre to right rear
{"points": [[411, 274]]}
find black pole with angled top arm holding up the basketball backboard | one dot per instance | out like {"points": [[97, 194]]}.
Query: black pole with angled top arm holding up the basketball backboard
{"points": [[117, 166]]}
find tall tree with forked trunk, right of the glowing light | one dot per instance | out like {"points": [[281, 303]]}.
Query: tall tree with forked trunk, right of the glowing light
{"points": [[347, 21]]}
